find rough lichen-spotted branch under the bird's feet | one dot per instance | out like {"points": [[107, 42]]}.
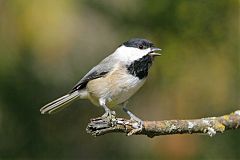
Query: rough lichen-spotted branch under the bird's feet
{"points": [[210, 126]]}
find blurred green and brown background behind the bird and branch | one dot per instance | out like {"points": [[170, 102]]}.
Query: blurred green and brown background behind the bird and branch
{"points": [[47, 46]]}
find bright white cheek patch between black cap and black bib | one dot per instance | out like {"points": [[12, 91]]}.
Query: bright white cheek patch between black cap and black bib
{"points": [[130, 54]]}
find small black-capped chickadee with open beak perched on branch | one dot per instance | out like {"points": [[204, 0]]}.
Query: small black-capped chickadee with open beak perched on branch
{"points": [[114, 80]]}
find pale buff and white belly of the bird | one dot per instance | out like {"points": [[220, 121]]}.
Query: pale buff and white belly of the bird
{"points": [[115, 88]]}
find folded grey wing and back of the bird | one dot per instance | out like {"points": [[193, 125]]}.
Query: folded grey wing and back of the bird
{"points": [[104, 67]]}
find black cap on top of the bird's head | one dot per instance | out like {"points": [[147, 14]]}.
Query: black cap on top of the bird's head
{"points": [[138, 43]]}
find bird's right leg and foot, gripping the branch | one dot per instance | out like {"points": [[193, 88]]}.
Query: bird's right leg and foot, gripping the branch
{"points": [[139, 125]]}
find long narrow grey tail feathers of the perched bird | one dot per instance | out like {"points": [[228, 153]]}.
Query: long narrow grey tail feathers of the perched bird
{"points": [[59, 103]]}
